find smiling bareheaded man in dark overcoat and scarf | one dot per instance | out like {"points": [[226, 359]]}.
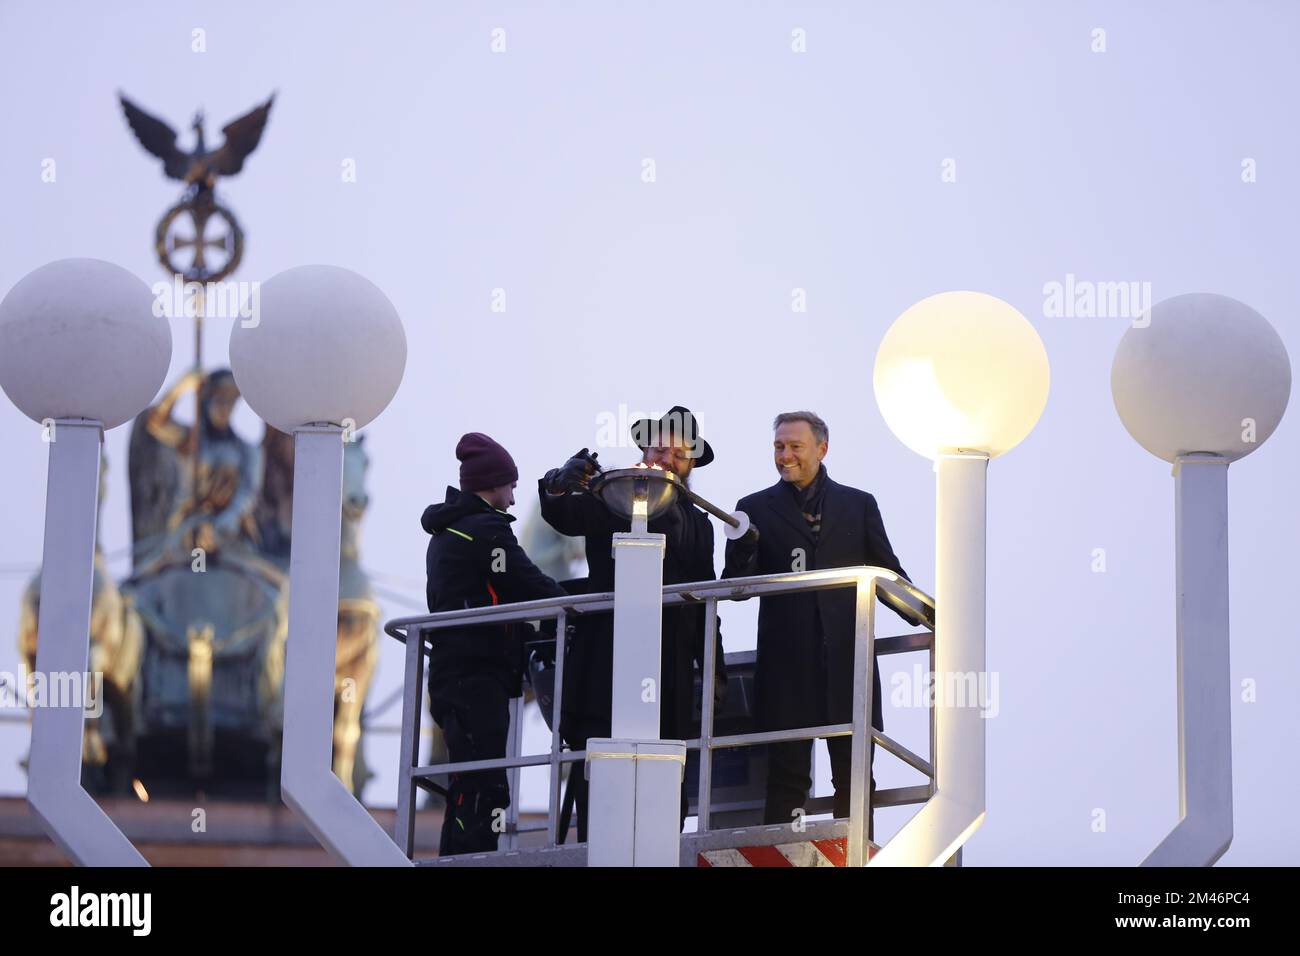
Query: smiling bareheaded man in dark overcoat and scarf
{"points": [[805, 641]]}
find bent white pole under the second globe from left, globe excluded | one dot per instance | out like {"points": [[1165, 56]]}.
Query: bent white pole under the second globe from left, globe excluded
{"points": [[307, 780]]}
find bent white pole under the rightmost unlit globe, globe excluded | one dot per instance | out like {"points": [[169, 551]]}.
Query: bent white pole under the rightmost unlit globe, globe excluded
{"points": [[1204, 830]]}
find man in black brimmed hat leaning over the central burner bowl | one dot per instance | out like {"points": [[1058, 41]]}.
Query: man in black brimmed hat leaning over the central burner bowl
{"points": [[673, 443]]}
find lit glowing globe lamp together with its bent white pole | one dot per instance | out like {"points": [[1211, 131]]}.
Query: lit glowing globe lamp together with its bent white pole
{"points": [[961, 378]]}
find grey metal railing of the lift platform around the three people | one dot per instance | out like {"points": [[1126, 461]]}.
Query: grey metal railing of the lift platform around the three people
{"points": [[869, 583]]}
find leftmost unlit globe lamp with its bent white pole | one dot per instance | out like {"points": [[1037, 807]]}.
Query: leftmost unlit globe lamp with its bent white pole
{"points": [[81, 352]]}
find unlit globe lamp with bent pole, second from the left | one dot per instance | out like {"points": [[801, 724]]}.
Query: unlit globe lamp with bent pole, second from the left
{"points": [[323, 358]]}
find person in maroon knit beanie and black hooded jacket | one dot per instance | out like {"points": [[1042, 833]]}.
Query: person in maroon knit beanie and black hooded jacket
{"points": [[474, 561]]}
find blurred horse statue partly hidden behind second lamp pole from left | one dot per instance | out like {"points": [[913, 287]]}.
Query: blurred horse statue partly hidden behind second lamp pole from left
{"points": [[358, 650]]}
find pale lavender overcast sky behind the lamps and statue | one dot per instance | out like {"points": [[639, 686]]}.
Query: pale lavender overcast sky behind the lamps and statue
{"points": [[911, 149]]}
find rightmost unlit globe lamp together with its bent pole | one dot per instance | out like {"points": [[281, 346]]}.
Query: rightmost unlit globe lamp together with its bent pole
{"points": [[1201, 382]]}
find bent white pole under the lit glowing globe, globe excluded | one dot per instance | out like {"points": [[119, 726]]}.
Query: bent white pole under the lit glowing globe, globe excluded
{"points": [[957, 808]]}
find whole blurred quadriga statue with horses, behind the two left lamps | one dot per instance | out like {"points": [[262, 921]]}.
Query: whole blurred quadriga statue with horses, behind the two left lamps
{"points": [[193, 644]]}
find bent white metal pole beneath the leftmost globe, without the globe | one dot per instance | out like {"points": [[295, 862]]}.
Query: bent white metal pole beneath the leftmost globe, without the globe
{"points": [[55, 794]]}
